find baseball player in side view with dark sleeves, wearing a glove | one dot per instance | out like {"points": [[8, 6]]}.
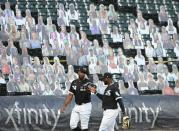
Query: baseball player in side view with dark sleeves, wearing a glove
{"points": [[110, 98]]}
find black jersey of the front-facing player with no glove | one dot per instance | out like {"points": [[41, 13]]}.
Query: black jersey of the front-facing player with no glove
{"points": [[79, 89]]}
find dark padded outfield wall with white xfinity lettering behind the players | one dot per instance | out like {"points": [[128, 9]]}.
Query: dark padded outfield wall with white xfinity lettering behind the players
{"points": [[41, 113]]}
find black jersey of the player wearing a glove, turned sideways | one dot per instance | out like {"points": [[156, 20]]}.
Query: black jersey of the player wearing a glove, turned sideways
{"points": [[110, 97]]}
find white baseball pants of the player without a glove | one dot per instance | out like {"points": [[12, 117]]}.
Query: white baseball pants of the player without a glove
{"points": [[80, 113]]}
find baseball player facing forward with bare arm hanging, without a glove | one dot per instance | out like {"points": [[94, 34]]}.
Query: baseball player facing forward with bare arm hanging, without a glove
{"points": [[82, 110]]}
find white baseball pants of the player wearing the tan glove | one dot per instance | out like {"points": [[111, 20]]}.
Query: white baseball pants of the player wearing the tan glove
{"points": [[109, 120]]}
